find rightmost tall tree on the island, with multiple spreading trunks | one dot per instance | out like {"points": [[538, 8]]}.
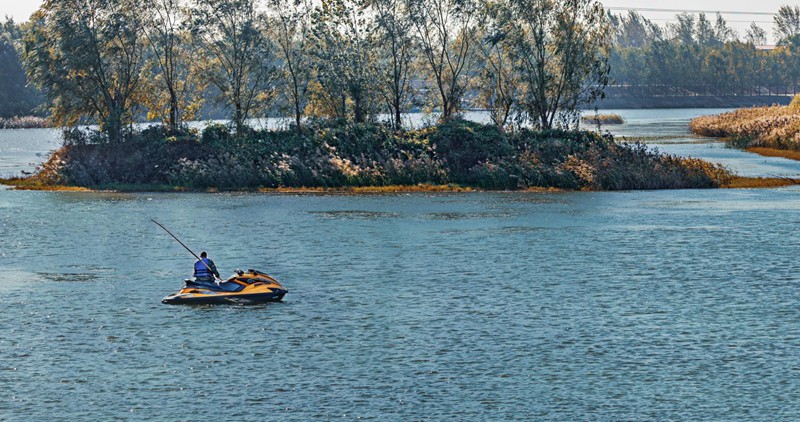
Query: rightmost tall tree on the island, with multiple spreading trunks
{"points": [[560, 49]]}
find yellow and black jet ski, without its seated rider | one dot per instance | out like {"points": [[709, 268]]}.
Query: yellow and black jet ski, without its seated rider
{"points": [[250, 288]]}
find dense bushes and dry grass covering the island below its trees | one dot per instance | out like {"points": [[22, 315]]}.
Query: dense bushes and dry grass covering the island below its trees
{"points": [[457, 155]]}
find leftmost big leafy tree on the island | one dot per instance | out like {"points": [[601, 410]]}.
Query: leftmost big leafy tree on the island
{"points": [[87, 56]]}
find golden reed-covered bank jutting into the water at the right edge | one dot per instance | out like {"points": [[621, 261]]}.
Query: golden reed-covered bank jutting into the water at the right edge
{"points": [[775, 127]]}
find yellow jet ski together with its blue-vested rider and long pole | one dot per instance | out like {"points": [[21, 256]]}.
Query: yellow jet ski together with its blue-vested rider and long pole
{"points": [[249, 288]]}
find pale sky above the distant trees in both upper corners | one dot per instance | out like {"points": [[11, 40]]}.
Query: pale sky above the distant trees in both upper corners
{"points": [[21, 9]]}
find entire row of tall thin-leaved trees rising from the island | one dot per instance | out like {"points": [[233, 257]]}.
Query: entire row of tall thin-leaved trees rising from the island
{"points": [[102, 61]]}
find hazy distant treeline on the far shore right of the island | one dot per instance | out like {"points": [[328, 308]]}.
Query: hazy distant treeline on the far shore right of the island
{"points": [[696, 56]]}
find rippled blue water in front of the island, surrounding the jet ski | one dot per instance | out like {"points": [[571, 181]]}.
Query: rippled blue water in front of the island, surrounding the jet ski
{"points": [[490, 306]]}
